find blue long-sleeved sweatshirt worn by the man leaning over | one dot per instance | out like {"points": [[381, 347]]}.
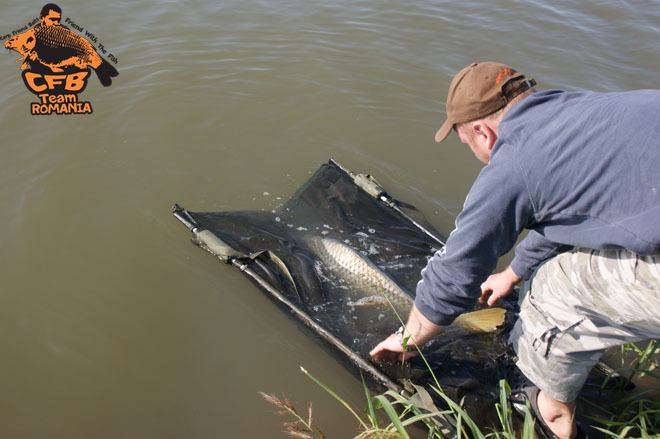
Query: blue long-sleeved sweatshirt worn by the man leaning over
{"points": [[576, 169]]}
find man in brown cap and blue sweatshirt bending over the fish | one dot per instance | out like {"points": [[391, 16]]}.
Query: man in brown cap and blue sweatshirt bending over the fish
{"points": [[581, 172]]}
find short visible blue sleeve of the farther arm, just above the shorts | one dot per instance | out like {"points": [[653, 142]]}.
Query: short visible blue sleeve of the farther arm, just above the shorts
{"points": [[534, 250]]}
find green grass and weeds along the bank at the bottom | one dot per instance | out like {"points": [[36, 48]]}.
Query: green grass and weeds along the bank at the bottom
{"points": [[390, 415]]}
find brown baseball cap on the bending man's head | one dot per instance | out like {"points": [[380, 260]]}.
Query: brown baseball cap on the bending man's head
{"points": [[479, 90]]}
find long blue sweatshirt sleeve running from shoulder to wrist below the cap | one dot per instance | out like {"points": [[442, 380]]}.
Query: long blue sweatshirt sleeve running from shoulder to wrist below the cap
{"points": [[495, 212]]}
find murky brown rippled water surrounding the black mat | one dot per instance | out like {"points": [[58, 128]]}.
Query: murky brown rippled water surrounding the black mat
{"points": [[111, 323]]}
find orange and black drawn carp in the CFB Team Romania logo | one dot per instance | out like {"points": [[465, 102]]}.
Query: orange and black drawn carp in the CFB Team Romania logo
{"points": [[59, 48]]}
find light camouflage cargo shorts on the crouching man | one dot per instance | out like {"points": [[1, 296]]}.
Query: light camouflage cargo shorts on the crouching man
{"points": [[575, 307]]}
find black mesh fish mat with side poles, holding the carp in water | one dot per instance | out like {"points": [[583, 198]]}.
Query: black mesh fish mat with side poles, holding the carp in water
{"points": [[334, 255]]}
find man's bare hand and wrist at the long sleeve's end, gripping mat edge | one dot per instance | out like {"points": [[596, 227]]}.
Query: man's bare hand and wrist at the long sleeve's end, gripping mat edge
{"points": [[417, 331]]}
